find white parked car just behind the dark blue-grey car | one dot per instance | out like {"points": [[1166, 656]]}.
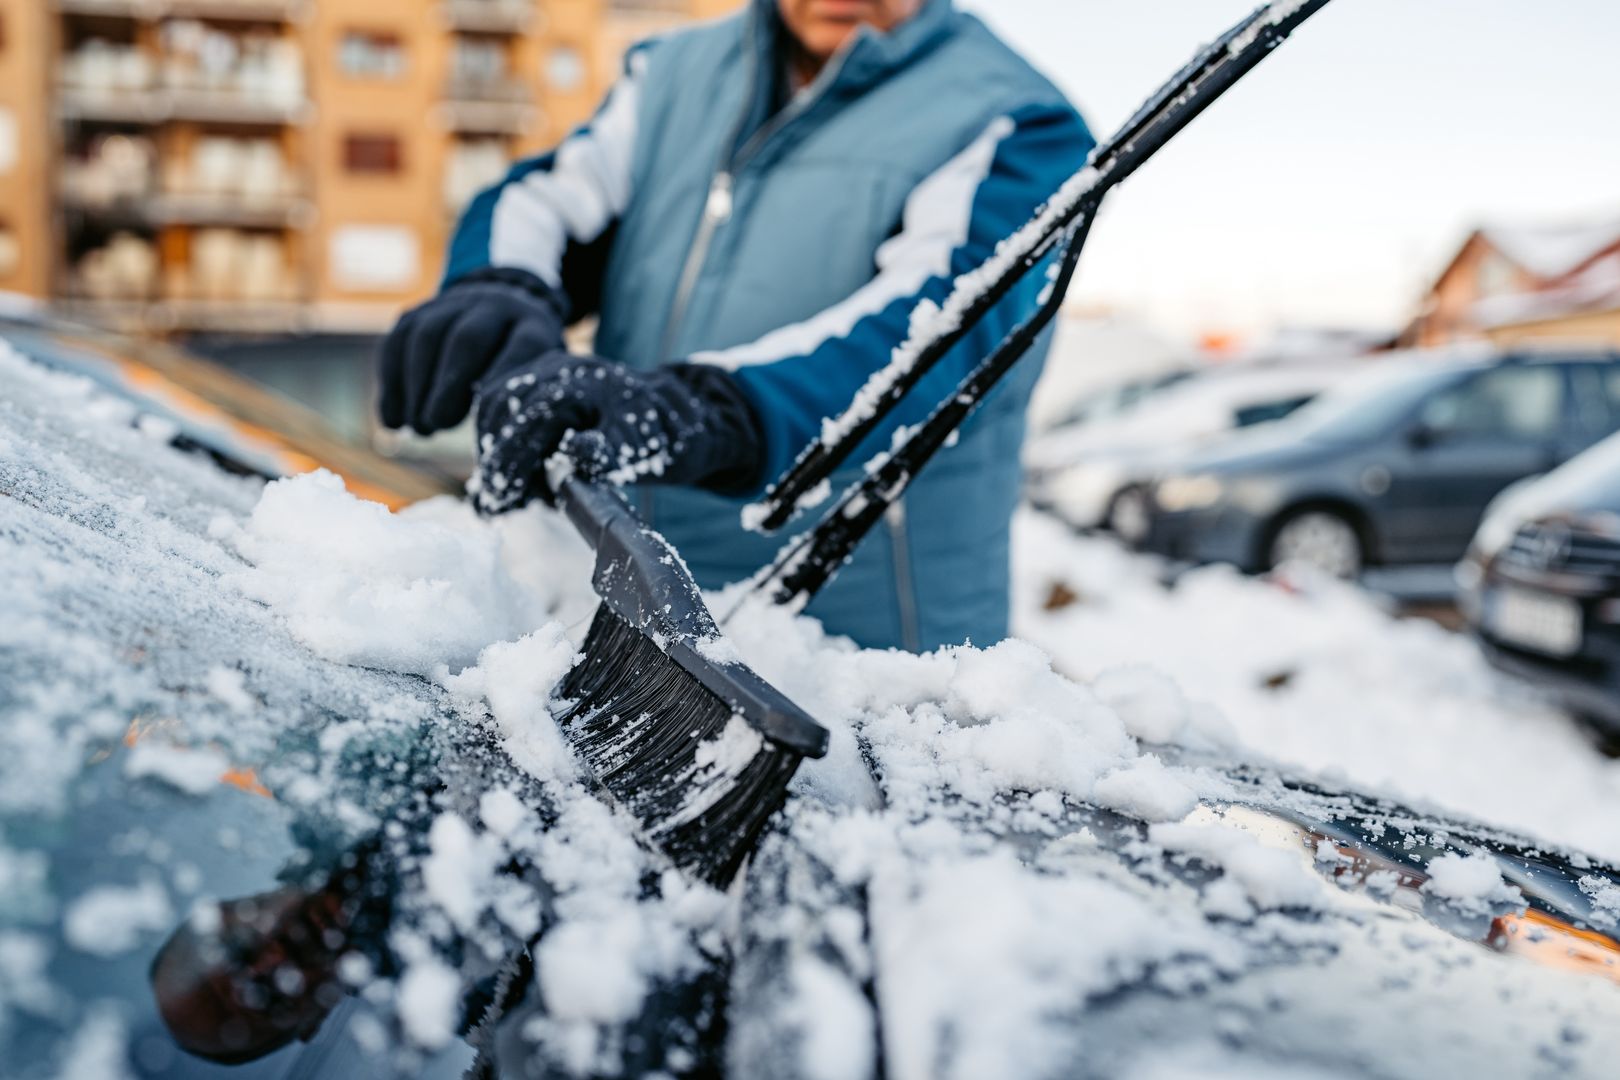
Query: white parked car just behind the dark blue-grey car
{"points": [[1088, 472]]}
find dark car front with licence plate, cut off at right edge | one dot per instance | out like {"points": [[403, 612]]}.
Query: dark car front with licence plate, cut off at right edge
{"points": [[1541, 584]]}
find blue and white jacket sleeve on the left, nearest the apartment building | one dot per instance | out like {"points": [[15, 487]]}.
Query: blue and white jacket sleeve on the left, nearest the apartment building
{"points": [[553, 216]]}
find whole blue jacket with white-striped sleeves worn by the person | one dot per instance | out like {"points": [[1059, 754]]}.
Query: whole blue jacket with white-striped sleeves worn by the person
{"points": [[709, 216]]}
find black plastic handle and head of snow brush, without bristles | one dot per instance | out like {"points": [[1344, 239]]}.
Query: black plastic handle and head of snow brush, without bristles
{"points": [[644, 582]]}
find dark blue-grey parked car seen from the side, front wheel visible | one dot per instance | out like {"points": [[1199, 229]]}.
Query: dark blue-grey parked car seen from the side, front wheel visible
{"points": [[1392, 470]]}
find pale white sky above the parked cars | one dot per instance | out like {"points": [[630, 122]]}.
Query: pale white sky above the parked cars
{"points": [[1339, 177]]}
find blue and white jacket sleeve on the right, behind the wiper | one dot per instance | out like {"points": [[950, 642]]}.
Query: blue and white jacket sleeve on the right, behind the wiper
{"points": [[953, 221]]}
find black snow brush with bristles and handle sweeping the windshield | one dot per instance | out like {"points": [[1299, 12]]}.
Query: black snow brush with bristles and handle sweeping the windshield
{"points": [[673, 726]]}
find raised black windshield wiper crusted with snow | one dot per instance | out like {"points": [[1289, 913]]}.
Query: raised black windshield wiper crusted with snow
{"points": [[1059, 231]]}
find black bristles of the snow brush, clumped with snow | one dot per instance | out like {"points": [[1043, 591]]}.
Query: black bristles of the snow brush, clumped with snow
{"points": [[639, 720]]}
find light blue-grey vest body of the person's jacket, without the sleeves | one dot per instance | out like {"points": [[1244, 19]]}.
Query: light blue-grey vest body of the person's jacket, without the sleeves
{"points": [[811, 206]]}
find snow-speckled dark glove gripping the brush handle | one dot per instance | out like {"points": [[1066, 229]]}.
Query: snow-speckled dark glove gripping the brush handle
{"points": [[676, 425]]}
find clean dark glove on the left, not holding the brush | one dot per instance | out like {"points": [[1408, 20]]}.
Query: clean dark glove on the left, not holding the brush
{"points": [[440, 351]]}
